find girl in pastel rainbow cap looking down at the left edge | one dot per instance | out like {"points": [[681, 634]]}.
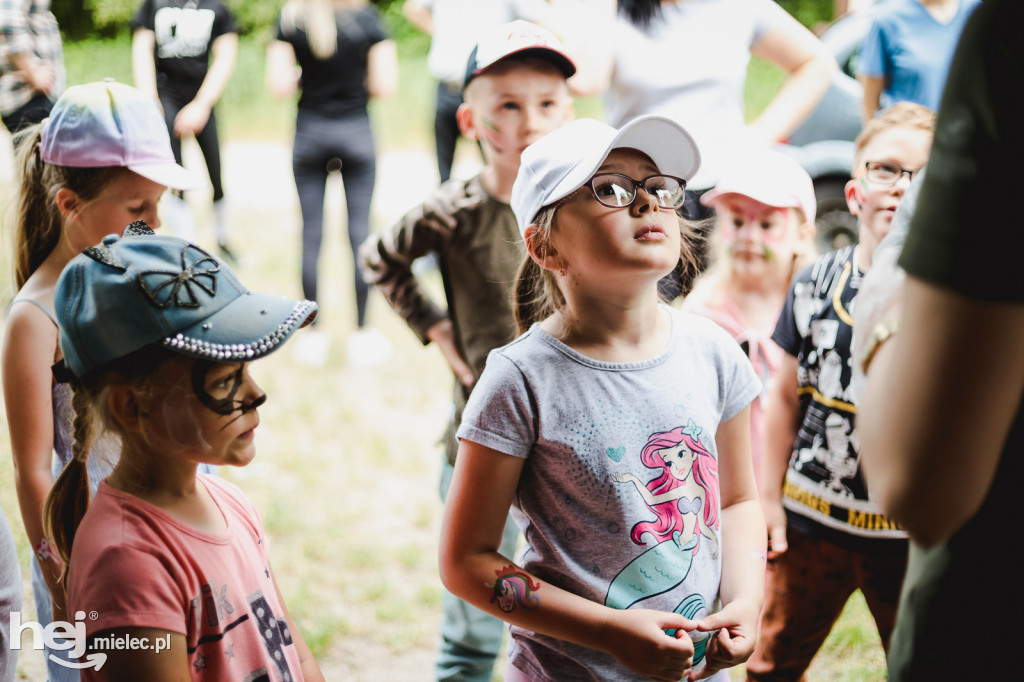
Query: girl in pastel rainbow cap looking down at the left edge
{"points": [[102, 160]]}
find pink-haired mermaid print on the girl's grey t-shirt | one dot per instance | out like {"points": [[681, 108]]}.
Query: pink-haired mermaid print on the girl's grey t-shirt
{"points": [[685, 499]]}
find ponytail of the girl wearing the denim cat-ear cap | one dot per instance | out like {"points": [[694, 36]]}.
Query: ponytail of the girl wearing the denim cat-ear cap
{"points": [[69, 499]]}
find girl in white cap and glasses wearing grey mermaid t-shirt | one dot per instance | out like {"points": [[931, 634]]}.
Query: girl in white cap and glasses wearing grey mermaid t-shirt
{"points": [[616, 428]]}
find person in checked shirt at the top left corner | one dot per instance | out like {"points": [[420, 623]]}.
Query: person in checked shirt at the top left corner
{"points": [[32, 73]]}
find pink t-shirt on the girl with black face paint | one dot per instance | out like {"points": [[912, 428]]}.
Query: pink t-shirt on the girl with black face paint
{"points": [[136, 566]]}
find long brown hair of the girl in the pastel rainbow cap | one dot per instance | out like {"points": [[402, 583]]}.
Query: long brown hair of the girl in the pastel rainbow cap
{"points": [[37, 222]]}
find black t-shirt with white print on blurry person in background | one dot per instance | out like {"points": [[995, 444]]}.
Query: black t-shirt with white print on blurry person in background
{"points": [[185, 32]]}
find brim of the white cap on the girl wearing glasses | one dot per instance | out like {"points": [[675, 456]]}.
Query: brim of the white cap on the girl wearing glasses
{"points": [[664, 141]]}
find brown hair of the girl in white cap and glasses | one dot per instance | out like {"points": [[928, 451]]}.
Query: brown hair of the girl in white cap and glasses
{"points": [[537, 295]]}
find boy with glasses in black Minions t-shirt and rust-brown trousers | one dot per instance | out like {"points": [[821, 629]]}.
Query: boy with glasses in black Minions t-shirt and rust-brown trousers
{"points": [[826, 536]]}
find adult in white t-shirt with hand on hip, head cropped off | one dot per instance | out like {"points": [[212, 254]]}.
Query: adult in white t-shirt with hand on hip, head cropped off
{"points": [[688, 60]]}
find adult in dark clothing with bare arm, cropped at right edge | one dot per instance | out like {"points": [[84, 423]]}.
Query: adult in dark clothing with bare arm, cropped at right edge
{"points": [[942, 418]]}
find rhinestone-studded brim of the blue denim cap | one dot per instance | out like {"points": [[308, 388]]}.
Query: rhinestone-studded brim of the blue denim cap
{"points": [[252, 326]]}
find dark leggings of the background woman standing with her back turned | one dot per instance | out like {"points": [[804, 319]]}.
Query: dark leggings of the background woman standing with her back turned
{"points": [[320, 145]]}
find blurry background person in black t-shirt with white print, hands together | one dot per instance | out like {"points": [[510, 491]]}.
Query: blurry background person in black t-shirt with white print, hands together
{"points": [[173, 46]]}
